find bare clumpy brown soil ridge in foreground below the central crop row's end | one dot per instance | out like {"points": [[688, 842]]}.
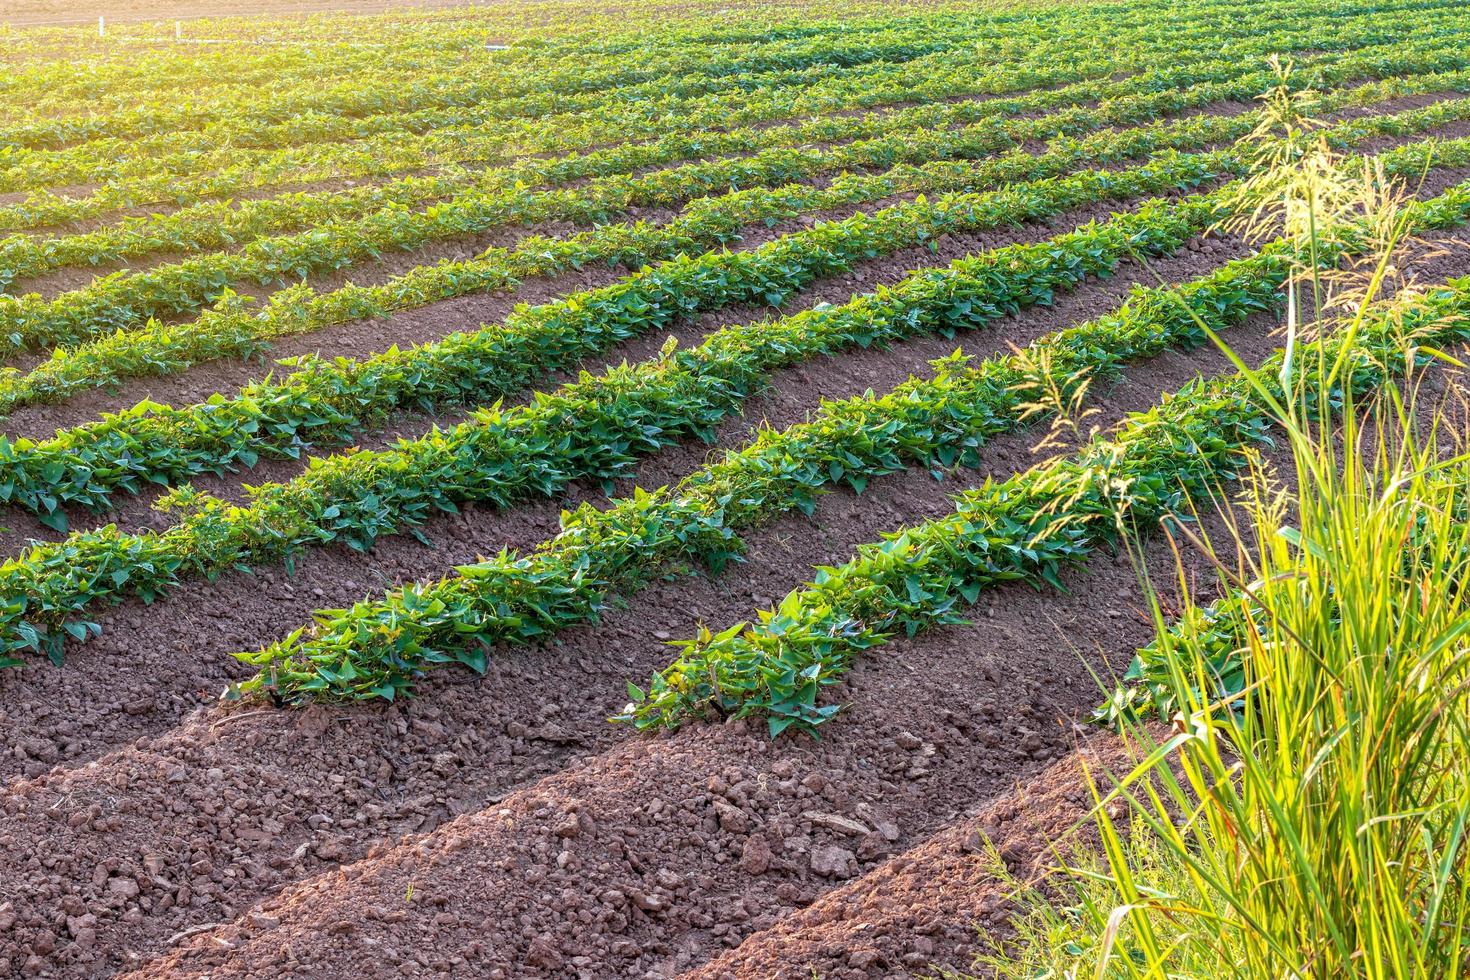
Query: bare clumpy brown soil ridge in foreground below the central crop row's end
{"points": [[662, 853]]}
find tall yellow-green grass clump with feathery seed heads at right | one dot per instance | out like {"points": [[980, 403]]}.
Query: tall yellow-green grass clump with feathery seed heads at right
{"points": [[1306, 812]]}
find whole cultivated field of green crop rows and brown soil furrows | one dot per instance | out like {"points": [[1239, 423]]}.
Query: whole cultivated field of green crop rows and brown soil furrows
{"points": [[390, 402]]}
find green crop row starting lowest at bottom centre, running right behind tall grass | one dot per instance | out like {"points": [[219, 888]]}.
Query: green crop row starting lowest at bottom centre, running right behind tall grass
{"points": [[1024, 530]]}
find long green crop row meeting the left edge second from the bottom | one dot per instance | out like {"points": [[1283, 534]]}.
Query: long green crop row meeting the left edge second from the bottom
{"points": [[157, 444]]}
